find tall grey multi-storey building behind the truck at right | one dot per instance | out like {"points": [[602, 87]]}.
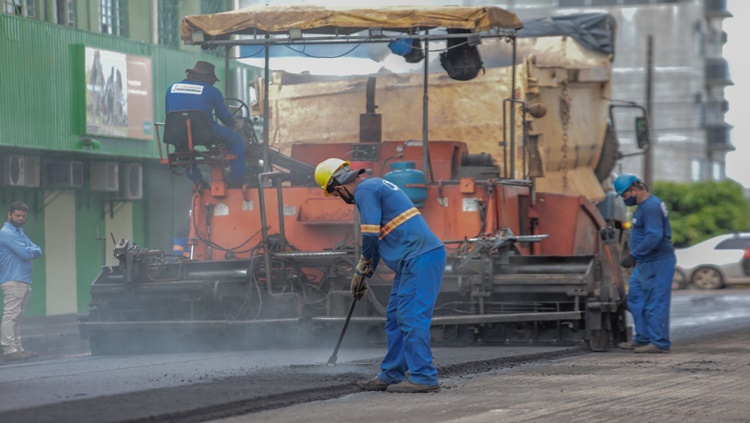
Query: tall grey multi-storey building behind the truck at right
{"points": [[689, 134]]}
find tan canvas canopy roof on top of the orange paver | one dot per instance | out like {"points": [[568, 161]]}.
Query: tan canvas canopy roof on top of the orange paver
{"points": [[343, 21]]}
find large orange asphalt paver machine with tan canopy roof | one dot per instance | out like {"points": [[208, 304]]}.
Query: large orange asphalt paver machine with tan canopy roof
{"points": [[272, 260]]}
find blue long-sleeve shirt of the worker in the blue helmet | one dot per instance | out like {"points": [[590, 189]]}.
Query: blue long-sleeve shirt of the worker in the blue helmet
{"points": [[651, 236]]}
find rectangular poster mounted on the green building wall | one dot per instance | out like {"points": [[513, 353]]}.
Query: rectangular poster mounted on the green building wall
{"points": [[119, 94]]}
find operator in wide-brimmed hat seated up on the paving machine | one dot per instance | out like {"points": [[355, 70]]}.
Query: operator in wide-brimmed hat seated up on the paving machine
{"points": [[197, 92]]}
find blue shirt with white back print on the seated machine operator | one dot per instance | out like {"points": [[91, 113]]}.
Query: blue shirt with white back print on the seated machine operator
{"points": [[194, 95]]}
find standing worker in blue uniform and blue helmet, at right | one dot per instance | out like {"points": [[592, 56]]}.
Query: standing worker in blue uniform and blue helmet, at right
{"points": [[652, 256]]}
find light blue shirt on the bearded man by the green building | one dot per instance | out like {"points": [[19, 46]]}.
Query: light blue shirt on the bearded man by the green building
{"points": [[16, 253]]}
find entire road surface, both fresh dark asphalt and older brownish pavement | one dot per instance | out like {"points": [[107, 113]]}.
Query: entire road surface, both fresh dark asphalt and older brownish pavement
{"points": [[278, 385]]}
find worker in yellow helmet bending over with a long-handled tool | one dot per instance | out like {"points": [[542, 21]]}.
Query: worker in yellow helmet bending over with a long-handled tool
{"points": [[396, 232]]}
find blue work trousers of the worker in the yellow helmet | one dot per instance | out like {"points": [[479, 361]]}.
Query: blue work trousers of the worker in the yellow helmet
{"points": [[408, 318]]}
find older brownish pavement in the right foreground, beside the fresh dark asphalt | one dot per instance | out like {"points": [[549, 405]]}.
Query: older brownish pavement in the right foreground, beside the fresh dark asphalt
{"points": [[698, 382]]}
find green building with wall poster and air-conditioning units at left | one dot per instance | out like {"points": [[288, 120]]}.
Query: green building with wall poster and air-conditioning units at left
{"points": [[83, 88]]}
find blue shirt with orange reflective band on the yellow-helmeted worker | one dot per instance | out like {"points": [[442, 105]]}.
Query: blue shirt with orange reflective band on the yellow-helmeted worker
{"points": [[392, 228]]}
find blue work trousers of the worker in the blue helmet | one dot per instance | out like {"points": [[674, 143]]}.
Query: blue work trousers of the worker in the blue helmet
{"points": [[649, 299]]}
